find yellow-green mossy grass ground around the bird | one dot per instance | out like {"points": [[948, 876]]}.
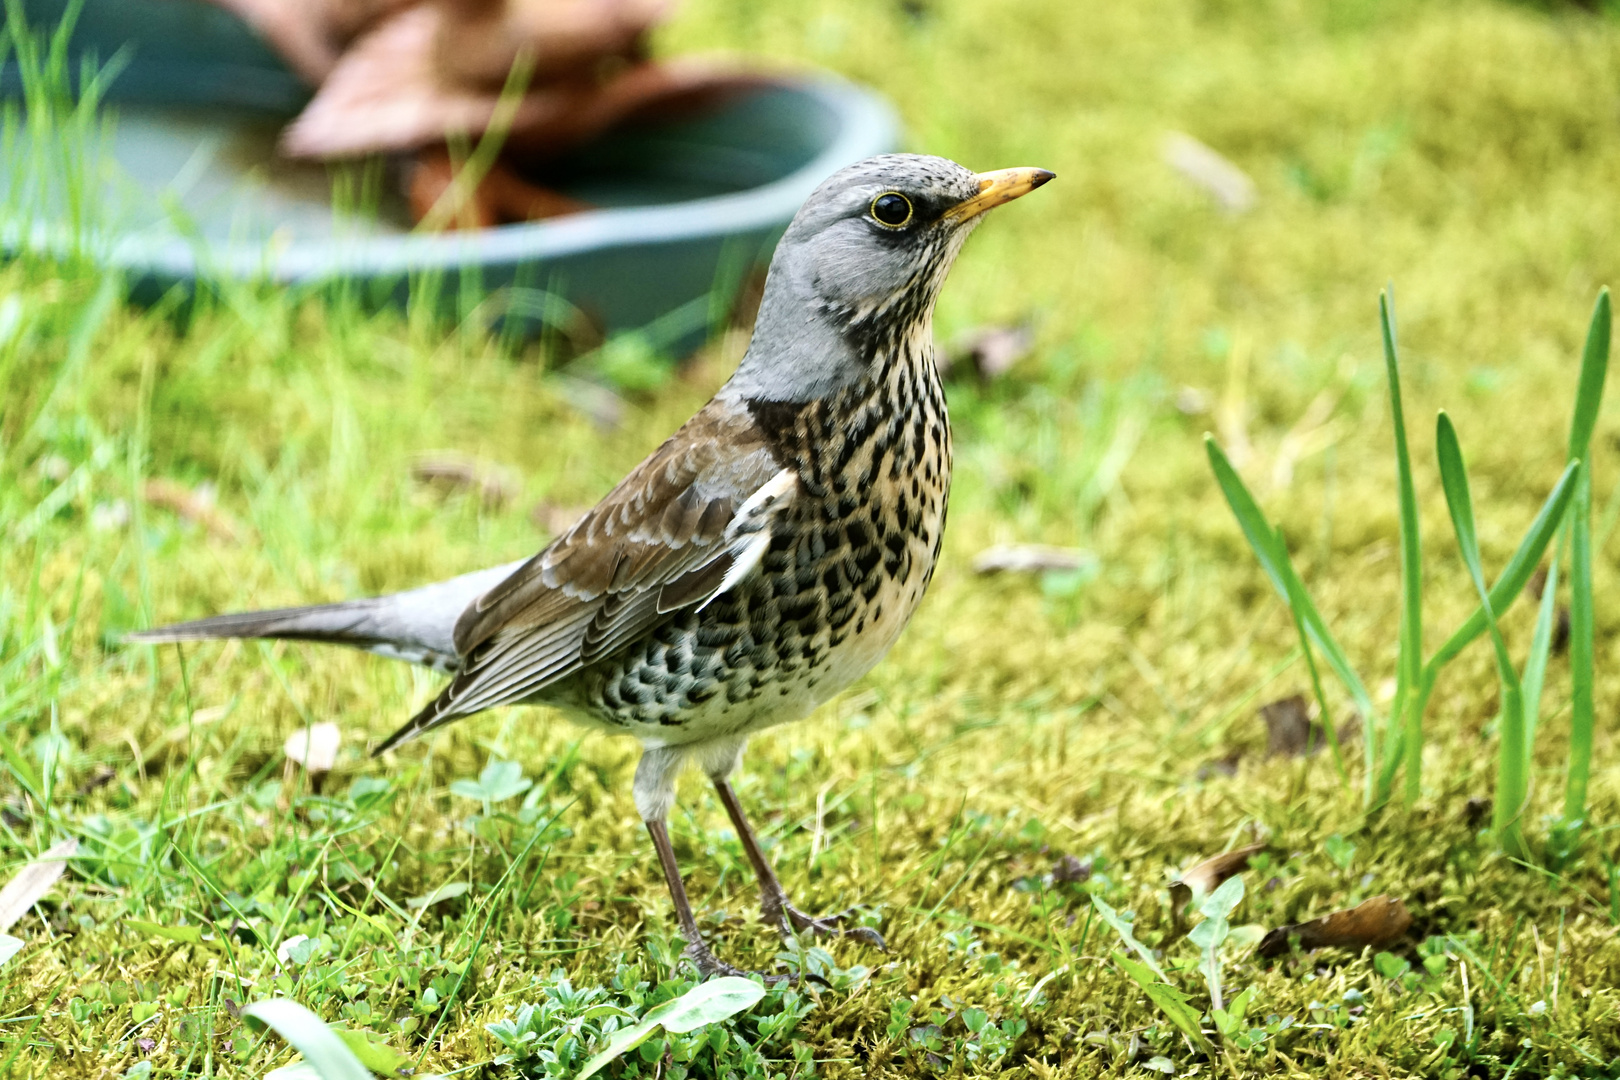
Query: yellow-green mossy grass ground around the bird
{"points": [[1467, 151]]}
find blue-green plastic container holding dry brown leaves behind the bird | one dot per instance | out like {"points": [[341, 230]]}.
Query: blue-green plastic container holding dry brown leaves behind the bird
{"points": [[198, 193]]}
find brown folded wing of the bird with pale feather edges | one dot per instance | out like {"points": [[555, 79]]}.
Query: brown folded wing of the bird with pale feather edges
{"points": [[663, 540]]}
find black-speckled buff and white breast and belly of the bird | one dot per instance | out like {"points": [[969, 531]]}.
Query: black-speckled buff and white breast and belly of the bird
{"points": [[842, 579]]}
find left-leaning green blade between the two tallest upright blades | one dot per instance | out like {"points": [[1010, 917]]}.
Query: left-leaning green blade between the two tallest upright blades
{"points": [[1512, 760]]}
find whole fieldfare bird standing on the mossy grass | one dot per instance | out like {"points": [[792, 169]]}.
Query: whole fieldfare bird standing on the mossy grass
{"points": [[754, 566]]}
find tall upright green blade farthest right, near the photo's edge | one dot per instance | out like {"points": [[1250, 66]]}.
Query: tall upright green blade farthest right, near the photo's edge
{"points": [[1595, 370]]}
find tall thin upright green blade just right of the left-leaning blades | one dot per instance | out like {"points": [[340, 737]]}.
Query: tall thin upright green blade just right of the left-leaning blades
{"points": [[1405, 721]]}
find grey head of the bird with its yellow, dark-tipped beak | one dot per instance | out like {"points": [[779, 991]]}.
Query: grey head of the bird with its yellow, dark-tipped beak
{"points": [[859, 268]]}
